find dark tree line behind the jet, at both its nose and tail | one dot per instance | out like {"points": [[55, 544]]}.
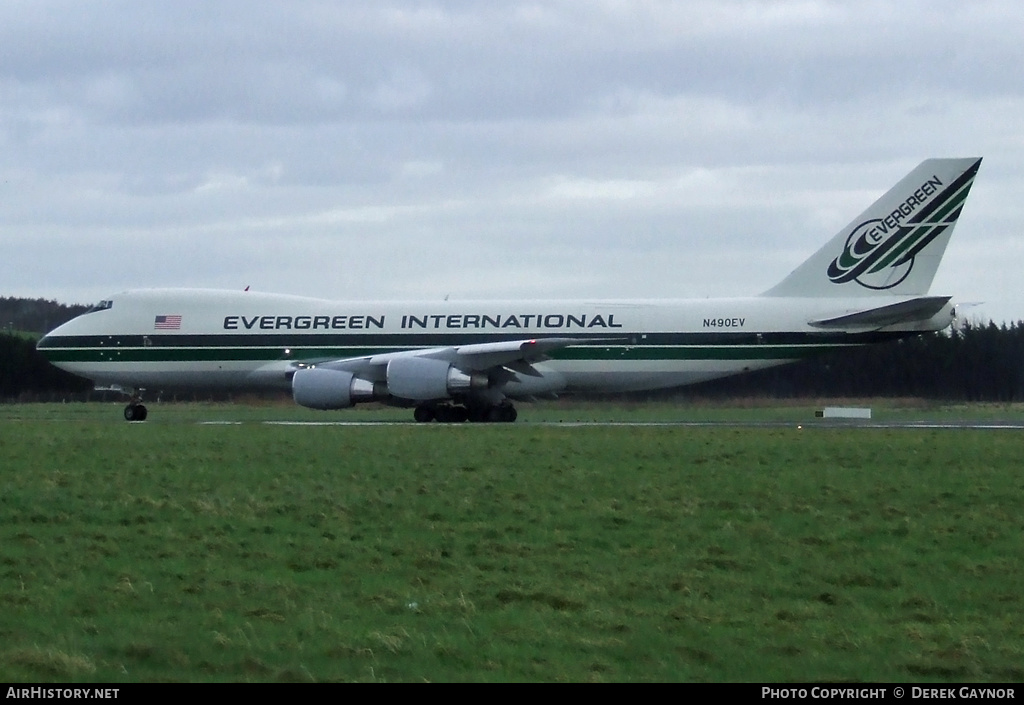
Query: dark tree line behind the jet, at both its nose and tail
{"points": [[974, 362]]}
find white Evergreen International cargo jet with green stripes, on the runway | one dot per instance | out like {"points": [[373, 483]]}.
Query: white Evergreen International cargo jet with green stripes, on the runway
{"points": [[458, 361]]}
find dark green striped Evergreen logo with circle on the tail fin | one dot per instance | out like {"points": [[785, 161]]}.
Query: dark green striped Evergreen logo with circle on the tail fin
{"points": [[879, 254]]}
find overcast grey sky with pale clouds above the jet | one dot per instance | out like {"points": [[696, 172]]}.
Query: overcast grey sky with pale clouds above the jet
{"points": [[607, 149]]}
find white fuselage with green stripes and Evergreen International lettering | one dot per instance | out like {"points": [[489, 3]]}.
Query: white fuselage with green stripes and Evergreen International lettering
{"points": [[189, 339]]}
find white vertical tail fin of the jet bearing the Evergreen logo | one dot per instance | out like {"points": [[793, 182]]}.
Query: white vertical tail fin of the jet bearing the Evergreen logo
{"points": [[895, 246]]}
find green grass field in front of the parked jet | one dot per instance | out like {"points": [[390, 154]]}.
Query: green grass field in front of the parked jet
{"points": [[177, 552]]}
